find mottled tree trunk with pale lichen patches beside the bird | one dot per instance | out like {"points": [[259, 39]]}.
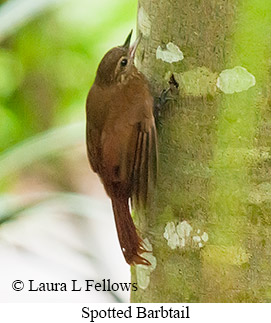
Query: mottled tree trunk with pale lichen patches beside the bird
{"points": [[209, 226]]}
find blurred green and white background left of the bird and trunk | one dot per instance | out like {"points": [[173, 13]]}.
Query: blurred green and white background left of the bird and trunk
{"points": [[49, 52]]}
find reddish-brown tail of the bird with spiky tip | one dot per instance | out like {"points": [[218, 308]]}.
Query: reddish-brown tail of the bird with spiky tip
{"points": [[130, 243]]}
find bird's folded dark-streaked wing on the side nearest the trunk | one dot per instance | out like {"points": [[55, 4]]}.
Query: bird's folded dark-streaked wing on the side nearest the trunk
{"points": [[145, 164]]}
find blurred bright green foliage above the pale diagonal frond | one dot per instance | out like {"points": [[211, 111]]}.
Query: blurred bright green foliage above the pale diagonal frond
{"points": [[48, 63]]}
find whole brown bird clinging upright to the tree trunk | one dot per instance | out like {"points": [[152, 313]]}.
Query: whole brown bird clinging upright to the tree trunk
{"points": [[121, 140]]}
